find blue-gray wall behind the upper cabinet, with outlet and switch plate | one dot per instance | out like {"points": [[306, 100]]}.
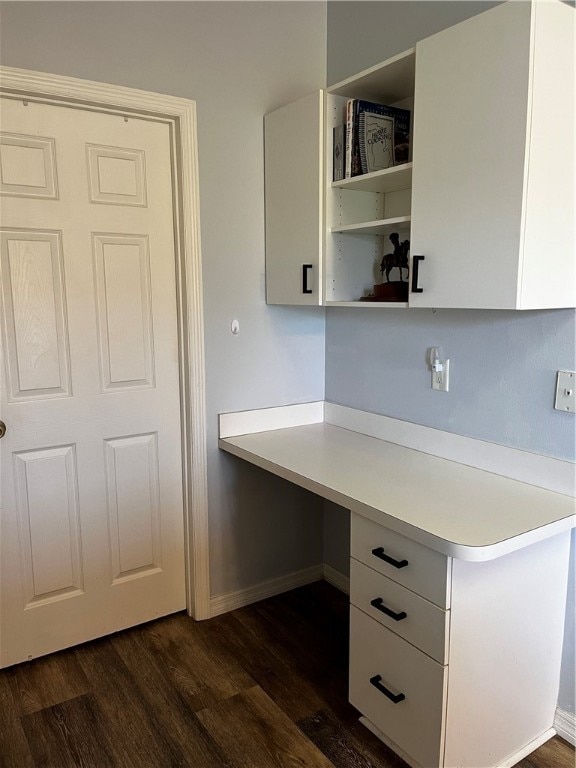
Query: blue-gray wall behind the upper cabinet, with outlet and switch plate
{"points": [[503, 364]]}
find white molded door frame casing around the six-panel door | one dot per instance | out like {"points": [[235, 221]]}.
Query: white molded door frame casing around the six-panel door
{"points": [[180, 115]]}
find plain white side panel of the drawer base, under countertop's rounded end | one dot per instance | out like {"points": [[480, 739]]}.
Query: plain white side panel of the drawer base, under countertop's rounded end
{"points": [[506, 632]]}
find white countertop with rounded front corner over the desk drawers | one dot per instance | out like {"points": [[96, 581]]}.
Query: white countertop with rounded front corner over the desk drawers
{"points": [[460, 511]]}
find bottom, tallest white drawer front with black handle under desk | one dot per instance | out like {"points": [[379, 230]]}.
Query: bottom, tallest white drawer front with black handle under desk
{"points": [[381, 661]]}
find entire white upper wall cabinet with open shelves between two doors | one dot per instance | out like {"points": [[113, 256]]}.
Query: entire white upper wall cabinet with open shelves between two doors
{"points": [[488, 197]]}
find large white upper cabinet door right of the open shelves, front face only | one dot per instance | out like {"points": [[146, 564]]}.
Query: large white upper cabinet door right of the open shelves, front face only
{"points": [[470, 120]]}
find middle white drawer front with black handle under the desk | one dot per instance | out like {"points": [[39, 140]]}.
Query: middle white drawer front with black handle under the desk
{"points": [[404, 612]]}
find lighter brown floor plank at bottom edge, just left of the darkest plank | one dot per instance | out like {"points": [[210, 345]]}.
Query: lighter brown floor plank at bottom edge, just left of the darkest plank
{"points": [[254, 733]]}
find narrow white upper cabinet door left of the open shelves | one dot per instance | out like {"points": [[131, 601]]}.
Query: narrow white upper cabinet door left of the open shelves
{"points": [[294, 182]]}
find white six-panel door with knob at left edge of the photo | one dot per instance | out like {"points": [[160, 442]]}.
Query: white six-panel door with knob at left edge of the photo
{"points": [[91, 479]]}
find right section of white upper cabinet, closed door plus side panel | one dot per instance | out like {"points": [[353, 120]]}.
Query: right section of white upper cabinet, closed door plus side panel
{"points": [[493, 184]]}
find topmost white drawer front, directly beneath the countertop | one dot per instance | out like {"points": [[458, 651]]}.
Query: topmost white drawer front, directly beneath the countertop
{"points": [[406, 562]]}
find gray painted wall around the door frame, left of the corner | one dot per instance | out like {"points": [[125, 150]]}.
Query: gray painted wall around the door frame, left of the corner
{"points": [[237, 61]]}
